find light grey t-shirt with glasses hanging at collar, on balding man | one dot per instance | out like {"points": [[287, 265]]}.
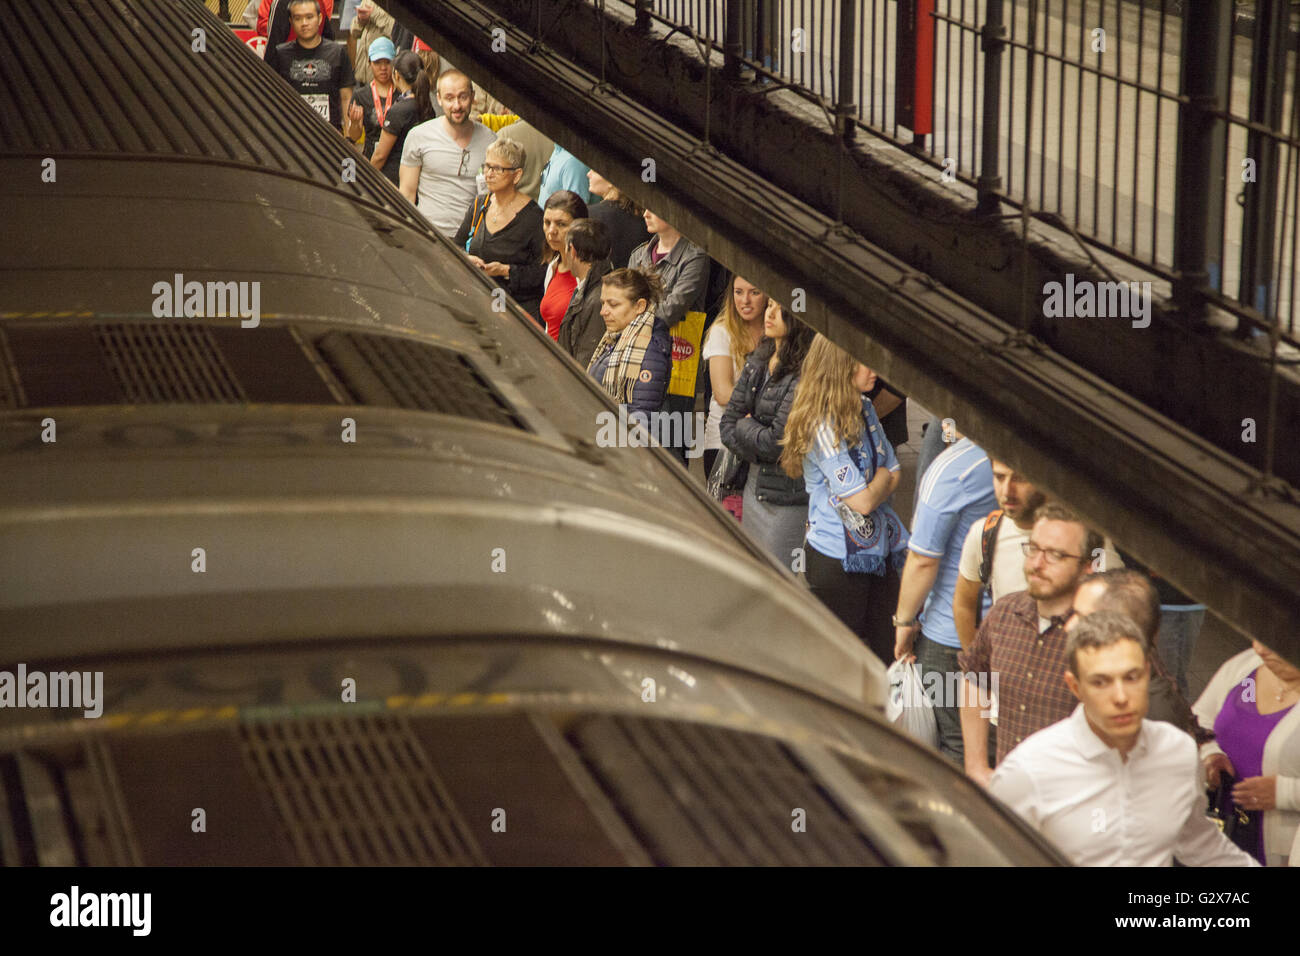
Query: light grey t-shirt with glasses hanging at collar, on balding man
{"points": [[448, 176]]}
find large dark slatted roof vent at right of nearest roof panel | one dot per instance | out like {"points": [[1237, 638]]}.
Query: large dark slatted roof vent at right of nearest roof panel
{"points": [[700, 795]]}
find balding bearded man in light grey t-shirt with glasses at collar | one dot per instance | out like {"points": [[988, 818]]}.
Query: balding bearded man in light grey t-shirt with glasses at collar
{"points": [[443, 157]]}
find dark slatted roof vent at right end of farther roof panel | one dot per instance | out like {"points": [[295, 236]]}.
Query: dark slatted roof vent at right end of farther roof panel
{"points": [[398, 373]]}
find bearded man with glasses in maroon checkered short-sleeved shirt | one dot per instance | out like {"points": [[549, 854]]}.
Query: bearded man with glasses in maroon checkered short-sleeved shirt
{"points": [[1020, 650]]}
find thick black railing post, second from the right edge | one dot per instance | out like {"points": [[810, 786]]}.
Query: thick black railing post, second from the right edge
{"points": [[1202, 149]]}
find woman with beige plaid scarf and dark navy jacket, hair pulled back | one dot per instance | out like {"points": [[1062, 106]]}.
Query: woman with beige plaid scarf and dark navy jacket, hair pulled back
{"points": [[634, 360]]}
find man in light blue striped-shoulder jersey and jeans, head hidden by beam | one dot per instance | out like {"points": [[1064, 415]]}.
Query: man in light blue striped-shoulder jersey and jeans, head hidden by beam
{"points": [[956, 492]]}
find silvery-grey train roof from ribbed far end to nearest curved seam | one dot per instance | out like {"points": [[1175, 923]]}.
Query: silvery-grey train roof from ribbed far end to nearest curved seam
{"points": [[476, 496]]}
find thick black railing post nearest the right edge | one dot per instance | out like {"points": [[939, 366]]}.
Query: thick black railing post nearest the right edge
{"points": [[1260, 213]]}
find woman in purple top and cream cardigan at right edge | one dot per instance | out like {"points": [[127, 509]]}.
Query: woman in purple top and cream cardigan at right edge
{"points": [[1251, 706]]}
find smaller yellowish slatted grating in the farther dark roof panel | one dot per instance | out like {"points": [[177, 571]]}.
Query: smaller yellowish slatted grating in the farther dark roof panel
{"points": [[167, 364]]}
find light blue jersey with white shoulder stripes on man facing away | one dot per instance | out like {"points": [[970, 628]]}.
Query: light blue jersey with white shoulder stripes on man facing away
{"points": [[956, 491]]}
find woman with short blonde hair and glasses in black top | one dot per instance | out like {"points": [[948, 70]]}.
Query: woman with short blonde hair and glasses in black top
{"points": [[504, 231]]}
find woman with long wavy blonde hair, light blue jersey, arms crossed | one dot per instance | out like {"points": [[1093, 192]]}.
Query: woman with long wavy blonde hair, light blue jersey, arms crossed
{"points": [[856, 544]]}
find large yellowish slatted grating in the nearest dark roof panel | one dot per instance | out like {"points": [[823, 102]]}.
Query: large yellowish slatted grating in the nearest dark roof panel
{"points": [[358, 791]]}
